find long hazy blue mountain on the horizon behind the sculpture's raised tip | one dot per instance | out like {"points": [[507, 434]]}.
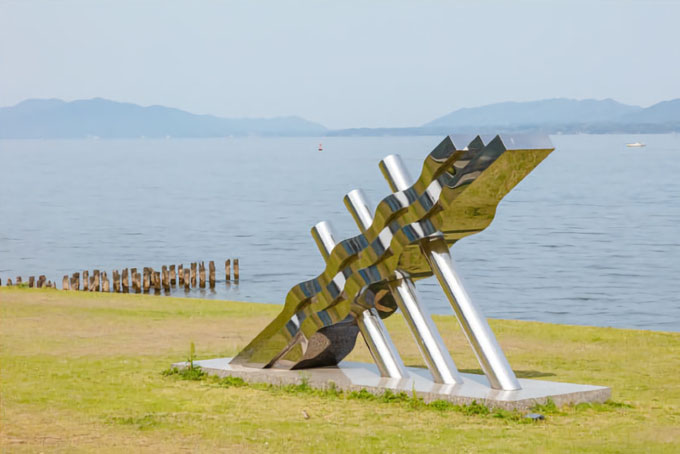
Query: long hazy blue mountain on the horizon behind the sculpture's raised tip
{"points": [[544, 112]]}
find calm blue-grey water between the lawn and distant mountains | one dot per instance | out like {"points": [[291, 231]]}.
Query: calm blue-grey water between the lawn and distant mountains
{"points": [[591, 237]]}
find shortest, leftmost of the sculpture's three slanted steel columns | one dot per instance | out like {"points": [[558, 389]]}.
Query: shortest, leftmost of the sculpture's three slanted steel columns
{"points": [[373, 330]]}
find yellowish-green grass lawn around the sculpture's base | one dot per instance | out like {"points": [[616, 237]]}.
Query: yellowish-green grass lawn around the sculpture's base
{"points": [[83, 372]]}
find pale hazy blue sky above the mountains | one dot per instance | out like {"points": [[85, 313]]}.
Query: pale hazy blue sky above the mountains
{"points": [[341, 63]]}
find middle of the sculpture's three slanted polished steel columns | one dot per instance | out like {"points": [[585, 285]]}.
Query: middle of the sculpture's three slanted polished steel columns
{"points": [[425, 333]]}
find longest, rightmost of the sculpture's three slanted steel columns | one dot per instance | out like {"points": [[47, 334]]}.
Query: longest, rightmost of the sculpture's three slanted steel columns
{"points": [[475, 326]]}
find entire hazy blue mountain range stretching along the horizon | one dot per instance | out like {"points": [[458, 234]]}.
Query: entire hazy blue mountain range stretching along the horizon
{"points": [[53, 118]]}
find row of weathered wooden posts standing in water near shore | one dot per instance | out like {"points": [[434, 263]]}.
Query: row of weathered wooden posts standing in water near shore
{"points": [[133, 281]]}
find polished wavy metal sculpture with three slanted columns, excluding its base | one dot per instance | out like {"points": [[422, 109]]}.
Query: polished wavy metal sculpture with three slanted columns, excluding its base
{"points": [[369, 276]]}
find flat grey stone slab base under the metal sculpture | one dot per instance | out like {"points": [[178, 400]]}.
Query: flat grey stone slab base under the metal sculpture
{"points": [[350, 376]]}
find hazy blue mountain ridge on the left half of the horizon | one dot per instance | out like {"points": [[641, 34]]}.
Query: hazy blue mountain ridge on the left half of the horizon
{"points": [[54, 118]]}
